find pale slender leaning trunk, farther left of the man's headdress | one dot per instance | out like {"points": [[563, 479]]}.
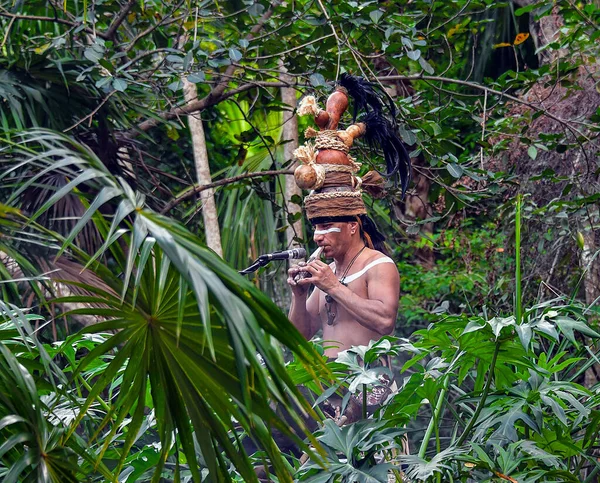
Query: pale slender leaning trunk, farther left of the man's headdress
{"points": [[209, 208]]}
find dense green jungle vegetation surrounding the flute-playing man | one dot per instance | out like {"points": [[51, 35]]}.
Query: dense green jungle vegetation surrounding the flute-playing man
{"points": [[146, 153]]}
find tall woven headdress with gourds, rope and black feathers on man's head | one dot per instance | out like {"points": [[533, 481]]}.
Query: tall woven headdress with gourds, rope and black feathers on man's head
{"points": [[328, 170]]}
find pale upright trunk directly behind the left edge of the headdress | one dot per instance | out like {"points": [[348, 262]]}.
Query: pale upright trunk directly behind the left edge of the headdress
{"points": [[290, 134]]}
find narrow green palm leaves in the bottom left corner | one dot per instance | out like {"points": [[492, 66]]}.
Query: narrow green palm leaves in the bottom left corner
{"points": [[34, 447]]}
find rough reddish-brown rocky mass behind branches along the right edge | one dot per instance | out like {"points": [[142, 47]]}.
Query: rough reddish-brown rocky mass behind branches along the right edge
{"points": [[572, 166]]}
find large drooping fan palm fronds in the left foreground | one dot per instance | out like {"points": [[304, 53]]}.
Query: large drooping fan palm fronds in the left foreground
{"points": [[187, 326]]}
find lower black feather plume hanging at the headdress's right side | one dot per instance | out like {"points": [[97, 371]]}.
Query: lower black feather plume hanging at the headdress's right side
{"points": [[382, 135]]}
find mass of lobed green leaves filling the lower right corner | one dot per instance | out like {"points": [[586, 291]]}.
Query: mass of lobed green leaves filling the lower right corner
{"points": [[508, 393]]}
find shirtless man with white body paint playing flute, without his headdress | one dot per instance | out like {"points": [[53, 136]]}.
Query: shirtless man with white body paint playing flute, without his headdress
{"points": [[355, 298]]}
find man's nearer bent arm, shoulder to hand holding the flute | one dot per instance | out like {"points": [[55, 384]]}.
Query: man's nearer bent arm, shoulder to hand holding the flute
{"points": [[376, 312]]}
